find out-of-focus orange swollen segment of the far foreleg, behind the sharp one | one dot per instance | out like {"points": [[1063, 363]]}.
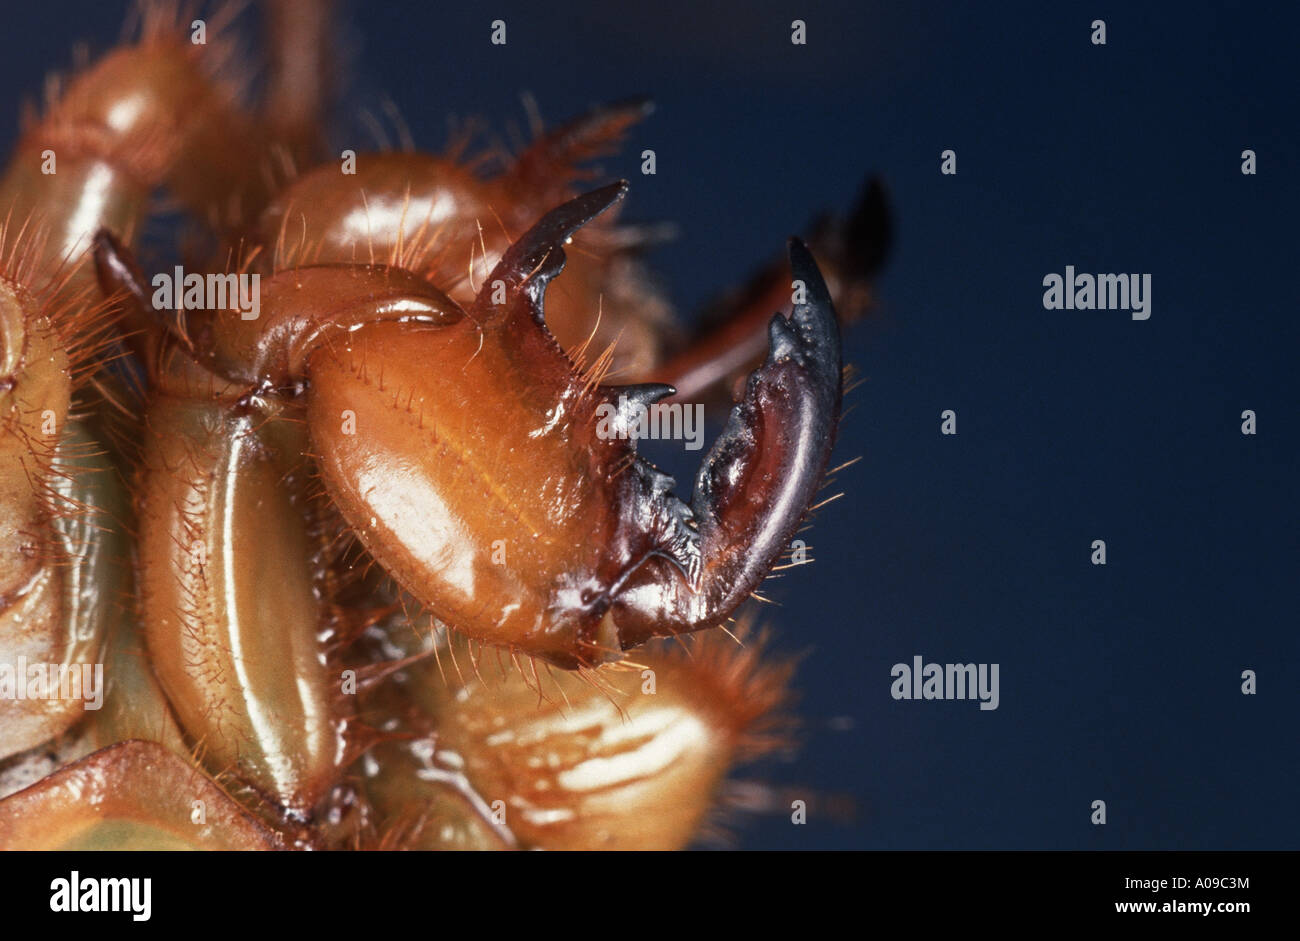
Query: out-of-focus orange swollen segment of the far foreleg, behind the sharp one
{"points": [[437, 216]]}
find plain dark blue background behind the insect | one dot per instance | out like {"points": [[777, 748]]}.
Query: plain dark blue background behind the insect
{"points": [[1119, 683]]}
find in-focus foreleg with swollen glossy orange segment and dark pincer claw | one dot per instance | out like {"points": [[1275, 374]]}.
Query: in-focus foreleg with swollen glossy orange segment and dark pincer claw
{"points": [[473, 461]]}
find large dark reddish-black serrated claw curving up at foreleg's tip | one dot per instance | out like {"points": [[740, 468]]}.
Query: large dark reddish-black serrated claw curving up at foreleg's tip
{"points": [[753, 489]]}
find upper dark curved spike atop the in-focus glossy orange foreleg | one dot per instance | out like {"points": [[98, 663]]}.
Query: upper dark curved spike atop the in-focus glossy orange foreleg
{"points": [[539, 255]]}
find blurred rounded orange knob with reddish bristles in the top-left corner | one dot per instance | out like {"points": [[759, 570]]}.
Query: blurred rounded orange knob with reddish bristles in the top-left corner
{"points": [[149, 114]]}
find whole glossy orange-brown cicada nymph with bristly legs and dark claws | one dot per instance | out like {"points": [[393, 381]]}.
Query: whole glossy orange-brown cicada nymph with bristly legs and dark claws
{"points": [[369, 562]]}
